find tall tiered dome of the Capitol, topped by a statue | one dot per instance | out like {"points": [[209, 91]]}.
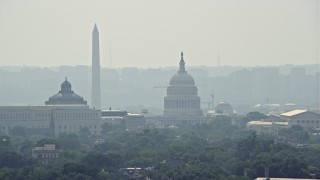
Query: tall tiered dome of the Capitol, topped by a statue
{"points": [[182, 95]]}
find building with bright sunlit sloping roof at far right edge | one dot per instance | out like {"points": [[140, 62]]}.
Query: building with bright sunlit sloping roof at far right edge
{"points": [[303, 118]]}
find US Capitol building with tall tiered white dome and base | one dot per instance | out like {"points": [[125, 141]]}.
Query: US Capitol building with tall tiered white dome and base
{"points": [[182, 103]]}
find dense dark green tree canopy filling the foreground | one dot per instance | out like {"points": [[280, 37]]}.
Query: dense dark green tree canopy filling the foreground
{"points": [[217, 150]]}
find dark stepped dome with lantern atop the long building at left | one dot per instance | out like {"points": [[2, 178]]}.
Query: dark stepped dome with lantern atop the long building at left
{"points": [[65, 96]]}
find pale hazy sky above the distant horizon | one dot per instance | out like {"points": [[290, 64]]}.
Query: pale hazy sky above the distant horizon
{"points": [[151, 33]]}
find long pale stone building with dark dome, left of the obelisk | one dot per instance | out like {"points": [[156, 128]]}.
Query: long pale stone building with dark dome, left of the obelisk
{"points": [[64, 112]]}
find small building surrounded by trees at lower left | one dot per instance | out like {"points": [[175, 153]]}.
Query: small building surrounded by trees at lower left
{"points": [[46, 153]]}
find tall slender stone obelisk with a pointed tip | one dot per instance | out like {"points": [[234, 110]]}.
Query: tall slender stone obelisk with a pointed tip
{"points": [[96, 99]]}
